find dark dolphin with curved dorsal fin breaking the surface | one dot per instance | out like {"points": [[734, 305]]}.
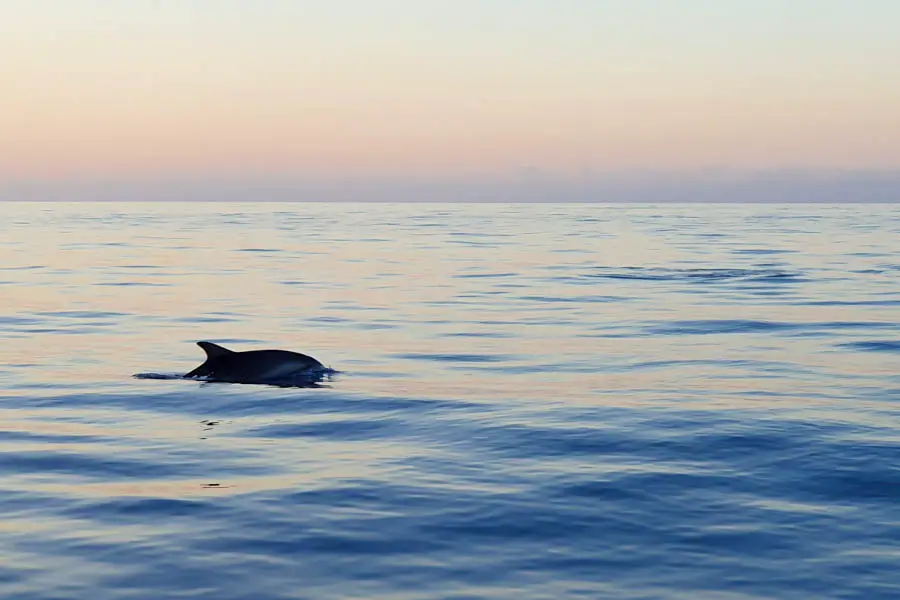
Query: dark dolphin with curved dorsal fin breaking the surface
{"points": [[257, 366]]}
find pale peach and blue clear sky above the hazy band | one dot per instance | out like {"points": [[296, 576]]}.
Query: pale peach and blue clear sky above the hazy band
{"points": [[424, 88]]}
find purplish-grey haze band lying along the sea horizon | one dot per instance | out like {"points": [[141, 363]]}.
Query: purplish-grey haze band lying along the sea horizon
{"points": [[637, 187]]}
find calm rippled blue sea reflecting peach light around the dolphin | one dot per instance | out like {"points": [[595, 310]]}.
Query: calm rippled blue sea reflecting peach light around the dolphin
{"points": [[541, 401]]}
